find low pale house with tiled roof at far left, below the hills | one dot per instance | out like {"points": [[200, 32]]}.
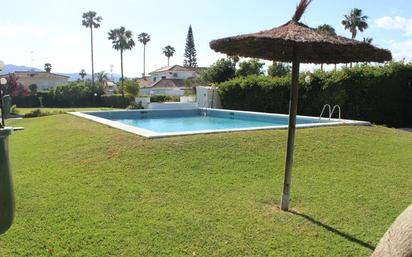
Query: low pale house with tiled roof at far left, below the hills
{"points": [[43, 80]]}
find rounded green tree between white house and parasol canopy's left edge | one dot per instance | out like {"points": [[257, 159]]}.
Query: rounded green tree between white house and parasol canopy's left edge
{"points": [[220, 71]]}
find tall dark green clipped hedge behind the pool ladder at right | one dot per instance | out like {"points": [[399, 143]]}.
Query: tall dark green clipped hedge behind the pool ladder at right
{"points": [[382, 95]]}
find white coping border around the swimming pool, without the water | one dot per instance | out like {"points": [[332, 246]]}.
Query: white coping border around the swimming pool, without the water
{"points": [[151, 134]]}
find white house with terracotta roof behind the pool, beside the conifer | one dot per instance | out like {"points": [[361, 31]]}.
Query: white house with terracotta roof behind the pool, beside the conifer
{"points": [[168, 80]]}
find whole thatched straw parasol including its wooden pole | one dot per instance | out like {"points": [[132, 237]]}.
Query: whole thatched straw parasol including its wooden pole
{"points": [[297, 43]]}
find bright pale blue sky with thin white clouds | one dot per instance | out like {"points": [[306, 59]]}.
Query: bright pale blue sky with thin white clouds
{"points": [[36, 32]]}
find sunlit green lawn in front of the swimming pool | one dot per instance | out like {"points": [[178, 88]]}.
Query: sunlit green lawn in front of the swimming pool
{"points": [[83, 189]]}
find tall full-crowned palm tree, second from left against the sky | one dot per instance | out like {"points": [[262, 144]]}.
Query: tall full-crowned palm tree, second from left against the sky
{"points": [[122, 40]]}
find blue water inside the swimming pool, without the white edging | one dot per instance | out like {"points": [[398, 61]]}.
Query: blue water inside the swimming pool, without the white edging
{"points": [[172, 121]]}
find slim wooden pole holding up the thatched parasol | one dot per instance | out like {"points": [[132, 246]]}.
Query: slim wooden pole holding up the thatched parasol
{"points": [[293, 107]]}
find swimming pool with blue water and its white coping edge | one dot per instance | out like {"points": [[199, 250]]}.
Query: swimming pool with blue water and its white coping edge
{"points": [[163, 123]]}
